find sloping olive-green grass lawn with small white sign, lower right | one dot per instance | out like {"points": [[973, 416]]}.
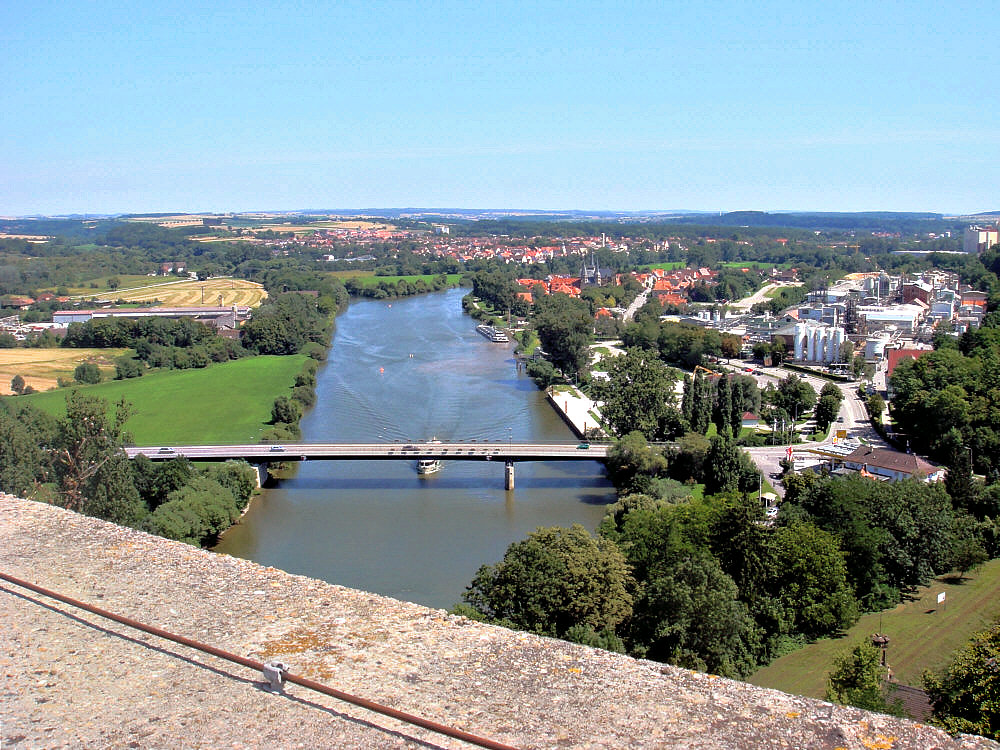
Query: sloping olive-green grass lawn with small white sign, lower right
{"points": [[923, 634]]}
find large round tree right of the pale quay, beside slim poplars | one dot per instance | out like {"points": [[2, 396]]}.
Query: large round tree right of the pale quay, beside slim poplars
{"points": [[639, 396]]}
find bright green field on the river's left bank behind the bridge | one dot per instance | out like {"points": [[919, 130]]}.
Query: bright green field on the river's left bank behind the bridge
{"points": [[228, 402]]}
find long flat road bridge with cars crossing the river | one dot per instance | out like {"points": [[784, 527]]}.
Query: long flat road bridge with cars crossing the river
{"points": [[506, 451]]}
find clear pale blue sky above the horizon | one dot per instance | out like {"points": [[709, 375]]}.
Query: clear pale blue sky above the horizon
{"points": [[226, 106]]}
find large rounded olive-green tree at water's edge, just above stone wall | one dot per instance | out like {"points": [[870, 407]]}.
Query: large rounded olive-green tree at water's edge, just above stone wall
{"points": [[553, 580]]}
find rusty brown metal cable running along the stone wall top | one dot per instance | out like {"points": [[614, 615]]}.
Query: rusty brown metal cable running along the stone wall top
{"points": [[259, 666]]}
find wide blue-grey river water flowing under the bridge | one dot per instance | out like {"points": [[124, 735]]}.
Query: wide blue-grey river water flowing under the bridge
{"points": [[415, 369]]}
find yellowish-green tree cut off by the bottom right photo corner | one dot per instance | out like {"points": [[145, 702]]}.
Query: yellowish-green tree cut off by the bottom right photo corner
{"points": [[964, 696]]}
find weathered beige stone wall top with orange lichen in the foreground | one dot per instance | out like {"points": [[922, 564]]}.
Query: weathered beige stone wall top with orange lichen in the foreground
{"points": [[71, 679]]}
